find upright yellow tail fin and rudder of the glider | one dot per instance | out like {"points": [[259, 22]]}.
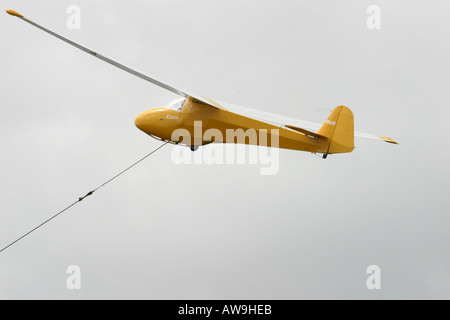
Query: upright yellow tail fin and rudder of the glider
{"points": [[339, 130]]}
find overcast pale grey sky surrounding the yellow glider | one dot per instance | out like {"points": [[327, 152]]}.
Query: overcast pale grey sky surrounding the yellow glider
{"points": [[164, 231]]}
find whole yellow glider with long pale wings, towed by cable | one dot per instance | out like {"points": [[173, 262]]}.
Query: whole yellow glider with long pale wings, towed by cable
{"points": [[335, 135]]}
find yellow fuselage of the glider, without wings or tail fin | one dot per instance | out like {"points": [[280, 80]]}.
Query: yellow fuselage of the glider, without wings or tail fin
{"points": [[200, 125]]}
